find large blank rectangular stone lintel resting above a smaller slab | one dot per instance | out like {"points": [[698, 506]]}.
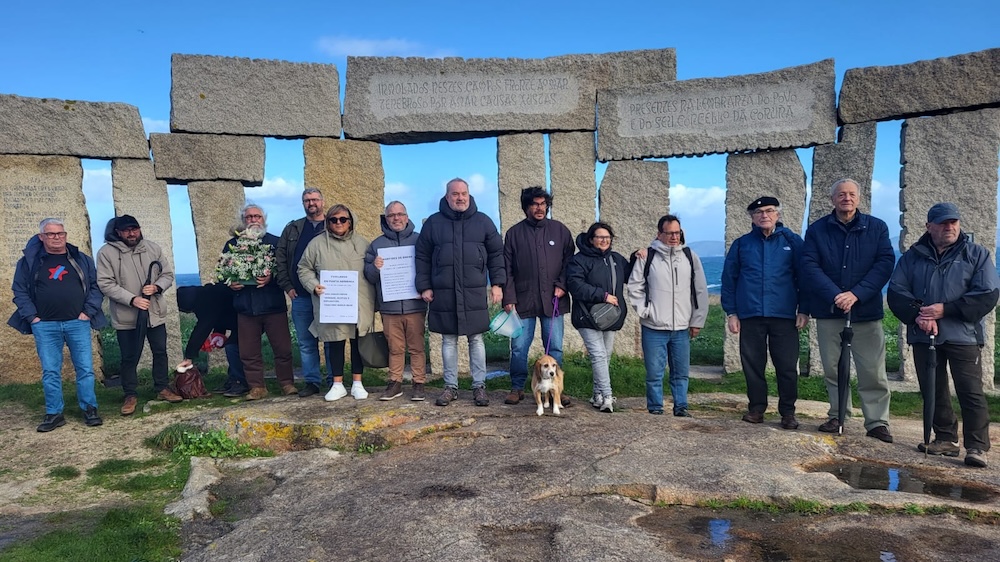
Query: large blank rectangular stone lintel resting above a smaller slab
{"points": [[241, 96]]}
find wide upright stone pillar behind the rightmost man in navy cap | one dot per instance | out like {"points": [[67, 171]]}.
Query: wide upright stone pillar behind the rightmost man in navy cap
{"points": [[951, 158]]}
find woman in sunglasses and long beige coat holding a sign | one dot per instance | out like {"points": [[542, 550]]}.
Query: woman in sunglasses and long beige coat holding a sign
{"points": [[339, 248]]}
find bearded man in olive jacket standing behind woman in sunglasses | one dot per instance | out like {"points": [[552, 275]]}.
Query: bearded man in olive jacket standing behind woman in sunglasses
{"points": [[294, 239]]}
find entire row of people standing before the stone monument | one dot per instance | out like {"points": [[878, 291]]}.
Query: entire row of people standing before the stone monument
{"points": [[772, 282]]}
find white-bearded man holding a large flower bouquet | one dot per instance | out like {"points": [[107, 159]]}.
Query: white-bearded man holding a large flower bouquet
{"points": [[247, 266]]}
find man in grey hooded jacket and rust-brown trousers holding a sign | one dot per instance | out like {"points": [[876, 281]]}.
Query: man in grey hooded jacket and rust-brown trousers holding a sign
{"points": [[402, 320]]}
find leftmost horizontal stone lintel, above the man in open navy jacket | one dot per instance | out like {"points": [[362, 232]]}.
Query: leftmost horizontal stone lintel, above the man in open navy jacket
{"points": [[71, 128]]}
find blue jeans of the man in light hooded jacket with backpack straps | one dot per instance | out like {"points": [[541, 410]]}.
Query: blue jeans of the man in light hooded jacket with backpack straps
{"points": [[658, 348]]}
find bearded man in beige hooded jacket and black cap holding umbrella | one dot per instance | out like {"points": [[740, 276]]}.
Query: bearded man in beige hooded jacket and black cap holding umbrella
{"points": [[122, 267]]}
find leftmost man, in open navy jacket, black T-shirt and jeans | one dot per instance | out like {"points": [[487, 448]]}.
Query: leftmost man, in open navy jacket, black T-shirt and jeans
{"points": [[58, 302]]}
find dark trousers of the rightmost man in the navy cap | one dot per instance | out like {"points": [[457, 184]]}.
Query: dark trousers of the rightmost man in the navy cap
{"points": [[967, 372]]}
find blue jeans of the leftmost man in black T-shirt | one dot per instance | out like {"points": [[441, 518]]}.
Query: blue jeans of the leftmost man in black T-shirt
{"points": [[49, 339]]}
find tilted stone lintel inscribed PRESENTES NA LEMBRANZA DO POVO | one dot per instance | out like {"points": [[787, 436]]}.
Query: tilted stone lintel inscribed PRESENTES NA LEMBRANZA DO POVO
{"points": [[788, 108]]}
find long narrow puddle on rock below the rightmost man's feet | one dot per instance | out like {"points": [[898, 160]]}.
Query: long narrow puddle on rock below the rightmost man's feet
{"points": [[871, 476]]}
